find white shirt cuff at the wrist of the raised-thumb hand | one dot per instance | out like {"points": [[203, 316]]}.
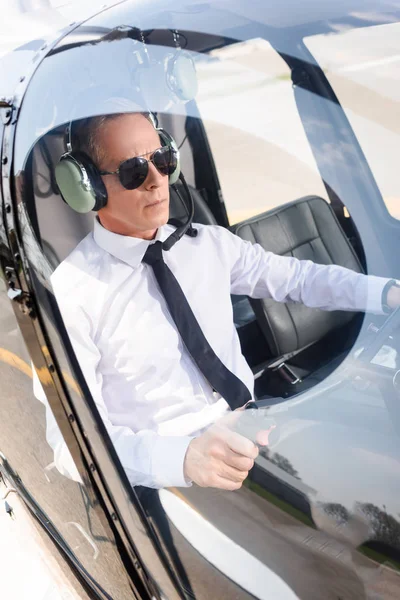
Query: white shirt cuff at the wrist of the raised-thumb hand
{"points": [[168, 458]]}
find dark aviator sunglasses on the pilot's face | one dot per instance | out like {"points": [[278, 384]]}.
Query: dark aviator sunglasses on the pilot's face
{"points": [[133, 172]]}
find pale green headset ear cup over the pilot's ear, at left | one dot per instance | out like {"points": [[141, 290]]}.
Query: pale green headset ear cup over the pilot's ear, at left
{"points": [[80, 183]]}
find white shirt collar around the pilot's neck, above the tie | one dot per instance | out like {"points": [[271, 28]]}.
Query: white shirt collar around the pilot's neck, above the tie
{"points": [[124, 247]]}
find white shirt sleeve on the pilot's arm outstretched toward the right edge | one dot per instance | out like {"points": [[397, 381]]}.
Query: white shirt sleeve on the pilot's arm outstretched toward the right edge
{"points": [[261, 274]]}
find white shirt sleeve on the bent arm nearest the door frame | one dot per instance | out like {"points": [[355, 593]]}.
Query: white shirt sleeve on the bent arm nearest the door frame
{"points": [[148, 459]]}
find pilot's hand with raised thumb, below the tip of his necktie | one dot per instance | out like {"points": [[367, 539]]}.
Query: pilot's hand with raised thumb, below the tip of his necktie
{"points": [[219, 458]]}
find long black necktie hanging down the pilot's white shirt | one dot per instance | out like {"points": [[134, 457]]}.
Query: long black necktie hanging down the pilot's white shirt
{"points": [[219, 377]]}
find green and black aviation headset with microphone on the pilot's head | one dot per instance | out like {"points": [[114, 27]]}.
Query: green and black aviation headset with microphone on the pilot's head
{"points": [[83, 189]]}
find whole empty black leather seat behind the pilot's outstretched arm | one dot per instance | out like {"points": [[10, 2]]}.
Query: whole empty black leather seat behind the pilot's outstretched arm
{"points": [[307, 229]]}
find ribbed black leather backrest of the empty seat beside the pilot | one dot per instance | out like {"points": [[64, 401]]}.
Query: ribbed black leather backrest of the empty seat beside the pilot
{"points": [[309, 230]]}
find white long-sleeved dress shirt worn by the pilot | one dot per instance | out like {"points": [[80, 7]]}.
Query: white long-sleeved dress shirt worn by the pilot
{"points": [[148, 390]]}
